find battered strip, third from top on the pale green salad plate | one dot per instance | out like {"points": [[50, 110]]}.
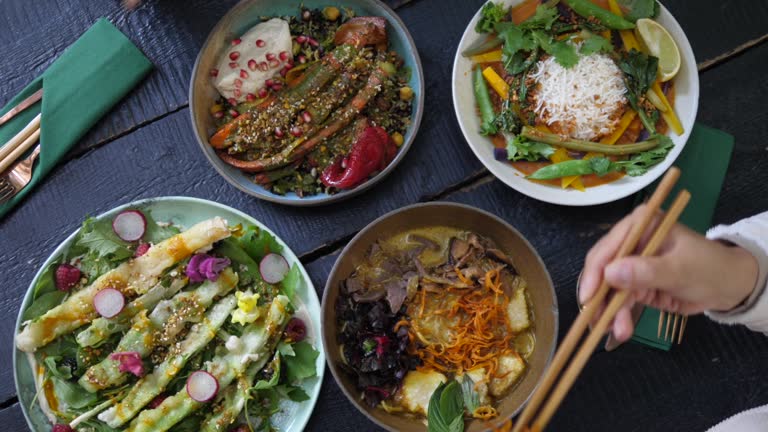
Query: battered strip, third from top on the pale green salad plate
{"points": [[159, 329]]}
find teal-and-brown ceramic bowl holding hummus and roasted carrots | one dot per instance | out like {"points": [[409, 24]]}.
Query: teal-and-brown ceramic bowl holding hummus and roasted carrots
{"points": [[245, 15]]}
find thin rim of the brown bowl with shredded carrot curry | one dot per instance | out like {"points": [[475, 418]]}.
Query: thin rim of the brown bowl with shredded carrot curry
{"points": [[325, 312]]}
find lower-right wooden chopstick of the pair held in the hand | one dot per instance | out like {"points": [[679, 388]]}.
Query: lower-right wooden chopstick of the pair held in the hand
{"points": [[618, 300]]}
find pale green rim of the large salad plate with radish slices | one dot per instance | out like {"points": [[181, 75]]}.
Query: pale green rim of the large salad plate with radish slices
{"points": [[64, 244]]}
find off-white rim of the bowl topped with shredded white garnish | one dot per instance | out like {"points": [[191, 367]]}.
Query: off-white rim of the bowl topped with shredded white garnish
{"points": [[502, 173]]}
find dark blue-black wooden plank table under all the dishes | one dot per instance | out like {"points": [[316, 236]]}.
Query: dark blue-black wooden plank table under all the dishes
{"points": [[145, 148]]}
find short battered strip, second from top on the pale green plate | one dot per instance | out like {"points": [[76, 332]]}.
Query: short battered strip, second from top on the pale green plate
{"points": [[102, 328]]}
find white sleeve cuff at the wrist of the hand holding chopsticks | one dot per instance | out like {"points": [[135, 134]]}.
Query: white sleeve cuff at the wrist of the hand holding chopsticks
{"points": [[752, 235]]}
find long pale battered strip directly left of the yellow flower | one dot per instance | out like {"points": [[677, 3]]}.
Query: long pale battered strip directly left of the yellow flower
{"points": [[149, 386]]}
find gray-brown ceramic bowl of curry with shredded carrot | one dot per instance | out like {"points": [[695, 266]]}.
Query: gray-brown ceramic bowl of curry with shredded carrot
{"points": [[528, 264]]}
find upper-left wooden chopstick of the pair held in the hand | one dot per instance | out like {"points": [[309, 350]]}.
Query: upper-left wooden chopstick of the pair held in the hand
{"points": [[585, 317]]}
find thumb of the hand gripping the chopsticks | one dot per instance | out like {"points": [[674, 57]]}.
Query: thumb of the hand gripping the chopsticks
{"points": [[637, 273]]}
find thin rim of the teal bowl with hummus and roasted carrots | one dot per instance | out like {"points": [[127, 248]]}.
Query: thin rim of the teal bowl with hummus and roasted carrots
{"points": [[262, 193]]}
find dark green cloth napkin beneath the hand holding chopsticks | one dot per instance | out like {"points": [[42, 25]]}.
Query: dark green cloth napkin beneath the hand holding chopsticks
{"points": [[703, 164]]}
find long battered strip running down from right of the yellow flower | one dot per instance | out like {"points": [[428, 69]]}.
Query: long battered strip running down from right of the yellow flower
{"points": [[255, 347]]}
